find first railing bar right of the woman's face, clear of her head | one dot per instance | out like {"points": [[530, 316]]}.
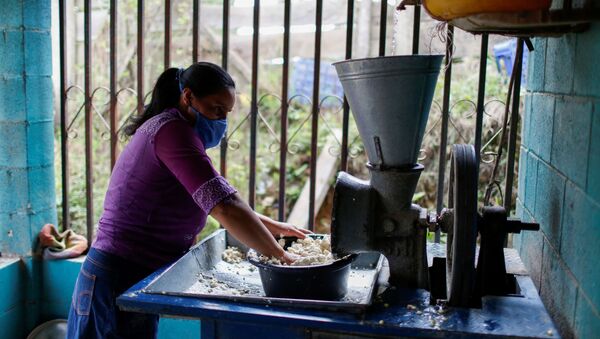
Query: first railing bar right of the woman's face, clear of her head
{"points": [[254, 104]]}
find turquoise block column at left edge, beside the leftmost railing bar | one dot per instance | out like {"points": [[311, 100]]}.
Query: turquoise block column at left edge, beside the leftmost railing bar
{"points": [[27, 192]]}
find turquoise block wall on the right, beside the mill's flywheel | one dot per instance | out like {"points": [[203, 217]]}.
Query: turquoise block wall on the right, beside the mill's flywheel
{"points": [[560, 179]]}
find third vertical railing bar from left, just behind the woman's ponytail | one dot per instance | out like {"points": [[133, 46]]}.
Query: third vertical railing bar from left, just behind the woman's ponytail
{"points": [[113, 83]]}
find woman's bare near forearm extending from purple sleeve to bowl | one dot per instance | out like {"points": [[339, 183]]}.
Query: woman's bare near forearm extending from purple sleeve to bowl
{"points": [[241, 221]]}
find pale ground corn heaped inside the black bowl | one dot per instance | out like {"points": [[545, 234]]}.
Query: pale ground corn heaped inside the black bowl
{"points": [[311, 252]]}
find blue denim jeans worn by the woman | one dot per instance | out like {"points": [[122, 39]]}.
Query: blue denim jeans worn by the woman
{"points": [[94, 313]]}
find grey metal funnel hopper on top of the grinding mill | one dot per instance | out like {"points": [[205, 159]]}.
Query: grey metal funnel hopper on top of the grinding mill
{"points": [[390, 98]]}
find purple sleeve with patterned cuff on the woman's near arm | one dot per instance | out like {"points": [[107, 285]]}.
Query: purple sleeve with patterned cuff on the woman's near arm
{"points": [[182, 152]]}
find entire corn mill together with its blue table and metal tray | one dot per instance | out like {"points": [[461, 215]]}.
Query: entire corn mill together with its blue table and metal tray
{"points": [[398, 285]]}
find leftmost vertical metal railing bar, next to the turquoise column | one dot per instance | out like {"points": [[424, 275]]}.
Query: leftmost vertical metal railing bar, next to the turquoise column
{"points": [[63, 117]]}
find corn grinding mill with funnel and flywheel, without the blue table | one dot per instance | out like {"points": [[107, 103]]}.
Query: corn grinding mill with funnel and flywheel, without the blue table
{"points": [[390, 98]]}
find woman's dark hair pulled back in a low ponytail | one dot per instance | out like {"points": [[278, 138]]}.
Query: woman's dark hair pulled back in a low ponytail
{"points": [[203, 78]]}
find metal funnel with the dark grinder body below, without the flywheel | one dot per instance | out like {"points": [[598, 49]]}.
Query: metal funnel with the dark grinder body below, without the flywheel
{"points": [[390, 98]]}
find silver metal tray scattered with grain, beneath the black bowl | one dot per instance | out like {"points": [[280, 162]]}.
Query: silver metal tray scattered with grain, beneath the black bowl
{"points": [[202, 274]]}
